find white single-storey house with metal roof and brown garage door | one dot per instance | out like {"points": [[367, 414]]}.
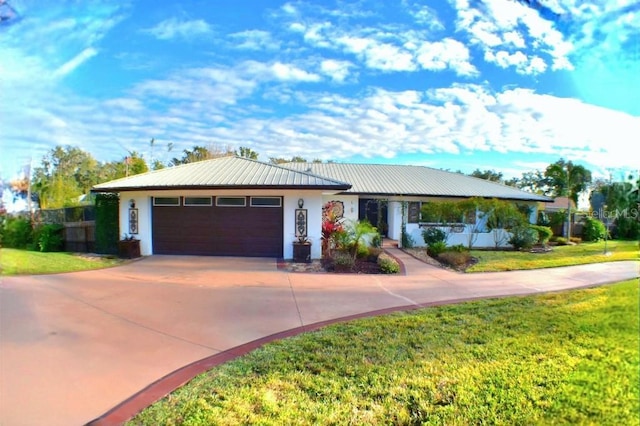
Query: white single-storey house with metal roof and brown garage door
{"points": [[233, 206]]}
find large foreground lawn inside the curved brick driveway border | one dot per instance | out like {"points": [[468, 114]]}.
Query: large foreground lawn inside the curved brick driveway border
{"points": [[561, 358]]}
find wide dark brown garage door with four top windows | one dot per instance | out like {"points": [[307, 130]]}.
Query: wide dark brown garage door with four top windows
{"points": [[218, 226]]}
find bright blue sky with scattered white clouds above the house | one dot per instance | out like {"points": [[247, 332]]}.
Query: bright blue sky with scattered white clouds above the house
{"points": [[458, 84]]}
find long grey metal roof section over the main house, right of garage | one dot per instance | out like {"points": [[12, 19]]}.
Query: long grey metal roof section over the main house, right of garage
{"points": [[383, 179]]}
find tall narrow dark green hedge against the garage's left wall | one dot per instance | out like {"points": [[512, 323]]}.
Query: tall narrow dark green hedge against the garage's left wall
{"points": [[107, 223]]}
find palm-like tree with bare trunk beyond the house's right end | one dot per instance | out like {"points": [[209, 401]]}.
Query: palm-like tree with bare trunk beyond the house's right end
{"points": [[567, 180]]}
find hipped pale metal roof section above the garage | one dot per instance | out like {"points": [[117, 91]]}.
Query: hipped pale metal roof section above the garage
{"points": [[223, 172]]}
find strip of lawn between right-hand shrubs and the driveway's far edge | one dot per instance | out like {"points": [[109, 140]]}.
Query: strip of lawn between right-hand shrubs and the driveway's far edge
{"points": [[492, 261]]}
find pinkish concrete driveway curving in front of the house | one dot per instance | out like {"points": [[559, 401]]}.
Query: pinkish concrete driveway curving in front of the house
{"points": [[72, 346]]}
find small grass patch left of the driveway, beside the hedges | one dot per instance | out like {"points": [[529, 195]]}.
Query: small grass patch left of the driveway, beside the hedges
{"points": [[24, 262]]}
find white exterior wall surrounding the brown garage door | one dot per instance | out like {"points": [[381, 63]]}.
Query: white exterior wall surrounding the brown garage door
{"points": [[313, 201]]}
